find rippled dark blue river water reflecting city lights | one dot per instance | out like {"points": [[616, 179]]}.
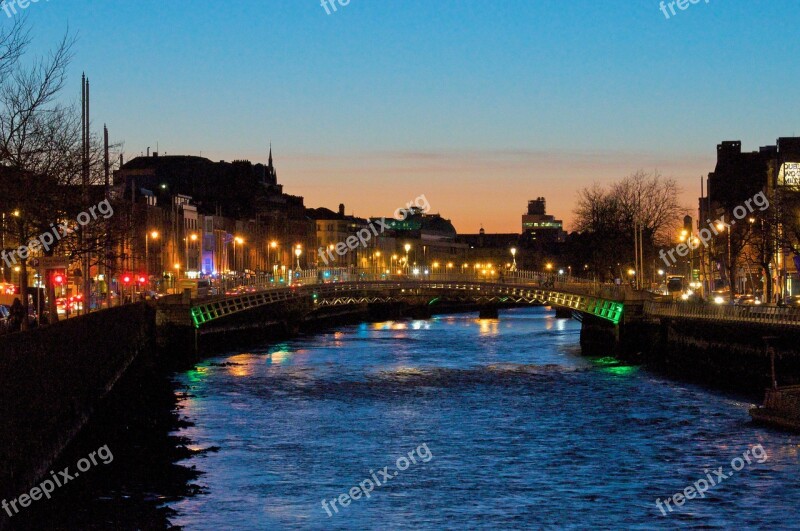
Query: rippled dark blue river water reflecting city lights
{"points": [[506, 424]]}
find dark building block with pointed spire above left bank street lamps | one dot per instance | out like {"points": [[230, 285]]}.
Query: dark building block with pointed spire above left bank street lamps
{"points": [[215, 217]]}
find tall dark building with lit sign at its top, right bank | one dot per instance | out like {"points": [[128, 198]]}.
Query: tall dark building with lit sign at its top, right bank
{"points": [[763, 248]]}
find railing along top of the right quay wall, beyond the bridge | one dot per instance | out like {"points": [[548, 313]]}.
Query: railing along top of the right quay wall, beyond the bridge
{"points": [[725, 312]]}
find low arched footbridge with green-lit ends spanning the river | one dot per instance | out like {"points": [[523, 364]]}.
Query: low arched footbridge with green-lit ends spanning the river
{"points": [[516, 288]]}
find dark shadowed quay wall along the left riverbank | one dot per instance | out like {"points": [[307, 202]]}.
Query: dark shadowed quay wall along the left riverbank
{"points": [[51, 381]]}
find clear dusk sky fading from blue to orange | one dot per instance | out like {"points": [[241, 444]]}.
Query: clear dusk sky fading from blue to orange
{"points": [[479, 106]]}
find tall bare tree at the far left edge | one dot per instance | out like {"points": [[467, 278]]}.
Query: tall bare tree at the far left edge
{"points": [[39, 140]]}
